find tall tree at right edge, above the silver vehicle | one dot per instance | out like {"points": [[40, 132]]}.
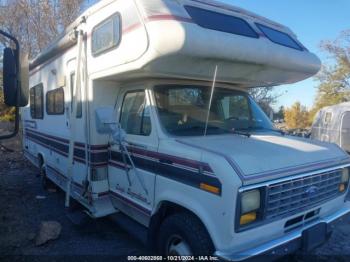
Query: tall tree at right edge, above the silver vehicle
{"points": [[334, 78]]}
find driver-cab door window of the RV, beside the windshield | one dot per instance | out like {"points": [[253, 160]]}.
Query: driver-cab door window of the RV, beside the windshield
{"points": [[135, 116]]}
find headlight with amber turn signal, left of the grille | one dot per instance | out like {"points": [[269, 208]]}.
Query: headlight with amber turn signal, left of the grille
{"points": [[250, 205]]}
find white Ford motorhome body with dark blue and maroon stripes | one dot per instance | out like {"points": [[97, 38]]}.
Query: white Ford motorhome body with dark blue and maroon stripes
{"points": [[160, 44]]}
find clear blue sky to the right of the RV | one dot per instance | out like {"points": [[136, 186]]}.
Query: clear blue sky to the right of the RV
{"points": [[312, 21]]}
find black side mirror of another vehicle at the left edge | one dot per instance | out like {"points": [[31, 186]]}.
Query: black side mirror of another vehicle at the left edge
{"points": [[15, 78]]}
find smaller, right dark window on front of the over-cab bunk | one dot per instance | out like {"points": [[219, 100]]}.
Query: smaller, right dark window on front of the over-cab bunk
{"points": [[279, 37]]}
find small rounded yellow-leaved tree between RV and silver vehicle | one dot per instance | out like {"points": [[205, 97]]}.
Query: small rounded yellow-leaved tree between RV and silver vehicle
{"points": [[296, 116]]}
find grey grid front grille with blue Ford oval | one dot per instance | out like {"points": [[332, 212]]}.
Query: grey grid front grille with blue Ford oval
{"points": [[296, 195]]}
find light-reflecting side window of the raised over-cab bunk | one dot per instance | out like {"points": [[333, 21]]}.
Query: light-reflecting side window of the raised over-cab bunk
{"points": [[106, 35]]}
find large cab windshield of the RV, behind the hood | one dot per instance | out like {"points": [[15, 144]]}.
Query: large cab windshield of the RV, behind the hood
{"points": [[183, 110]]}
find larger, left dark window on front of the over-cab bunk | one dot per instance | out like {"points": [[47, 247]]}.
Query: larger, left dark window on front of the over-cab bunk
{"points": [[221, 22]]}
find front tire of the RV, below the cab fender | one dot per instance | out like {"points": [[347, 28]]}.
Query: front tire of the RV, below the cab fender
{"points": [[183, 234]]}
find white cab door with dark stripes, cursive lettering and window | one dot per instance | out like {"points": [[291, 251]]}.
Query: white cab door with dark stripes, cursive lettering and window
{"points": [[133, 188]]}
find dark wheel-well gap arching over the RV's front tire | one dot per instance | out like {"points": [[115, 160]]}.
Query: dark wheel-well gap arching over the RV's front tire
{"points": [[166, 209]]}
